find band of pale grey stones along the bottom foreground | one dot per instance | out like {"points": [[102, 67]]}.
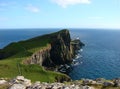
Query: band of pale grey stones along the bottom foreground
{"points": [[22, 83]]}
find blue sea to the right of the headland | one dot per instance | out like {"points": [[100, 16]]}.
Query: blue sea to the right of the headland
{"points": [[100, 56]]}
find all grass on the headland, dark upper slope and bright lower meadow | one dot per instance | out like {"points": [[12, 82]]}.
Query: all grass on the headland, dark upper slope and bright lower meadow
{"points": [[12, 66]]}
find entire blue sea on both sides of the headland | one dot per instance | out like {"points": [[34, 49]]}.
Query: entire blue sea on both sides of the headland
{"points": [[99, 58]]}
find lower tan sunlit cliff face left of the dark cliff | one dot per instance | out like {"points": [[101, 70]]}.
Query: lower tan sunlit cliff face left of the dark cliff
{"points": [[41, 57]]}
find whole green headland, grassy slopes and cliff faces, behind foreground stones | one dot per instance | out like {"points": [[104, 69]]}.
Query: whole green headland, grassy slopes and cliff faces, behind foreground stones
{"points": [[28, 57]]}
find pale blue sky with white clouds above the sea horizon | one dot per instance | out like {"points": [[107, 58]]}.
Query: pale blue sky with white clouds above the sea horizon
{"points": [[59, 14]]}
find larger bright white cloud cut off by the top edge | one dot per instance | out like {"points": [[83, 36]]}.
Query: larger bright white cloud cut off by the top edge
{"points": [[65, 3]]}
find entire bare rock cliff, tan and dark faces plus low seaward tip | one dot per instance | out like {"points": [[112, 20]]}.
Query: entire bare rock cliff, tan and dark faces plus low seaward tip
{"points": [[61, 50]]}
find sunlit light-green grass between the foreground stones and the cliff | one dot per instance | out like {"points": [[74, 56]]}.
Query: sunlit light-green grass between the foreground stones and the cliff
{"points": [[11, 67]]}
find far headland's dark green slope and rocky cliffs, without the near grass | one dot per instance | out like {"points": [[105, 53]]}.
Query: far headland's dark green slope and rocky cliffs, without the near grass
{"points": [[57, 50]]}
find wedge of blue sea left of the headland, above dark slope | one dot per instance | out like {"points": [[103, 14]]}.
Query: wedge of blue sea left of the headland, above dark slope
{"points": [[8, 36]]}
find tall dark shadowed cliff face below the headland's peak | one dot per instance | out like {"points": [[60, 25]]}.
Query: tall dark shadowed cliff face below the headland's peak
{"points": [[60, 48]]}
